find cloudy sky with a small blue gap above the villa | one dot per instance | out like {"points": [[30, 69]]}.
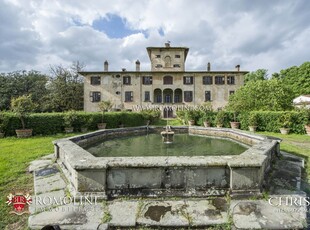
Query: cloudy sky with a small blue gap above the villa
{"points": [[269, 34]]}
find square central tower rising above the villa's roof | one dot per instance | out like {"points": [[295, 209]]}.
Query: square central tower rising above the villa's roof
{"points": [[167, 58]]}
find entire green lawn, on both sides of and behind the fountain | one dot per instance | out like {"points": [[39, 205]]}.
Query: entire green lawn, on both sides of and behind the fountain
{"points": [[16, 154]]}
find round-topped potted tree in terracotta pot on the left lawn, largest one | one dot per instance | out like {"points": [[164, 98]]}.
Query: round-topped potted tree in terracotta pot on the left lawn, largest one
{"points": [[22, 106]]}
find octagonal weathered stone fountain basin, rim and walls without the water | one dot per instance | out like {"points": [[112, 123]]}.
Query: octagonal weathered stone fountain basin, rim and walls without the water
{"points": [[158, 176]]}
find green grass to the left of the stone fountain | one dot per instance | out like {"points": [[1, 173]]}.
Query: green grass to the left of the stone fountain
{"points": [[15, 157]]}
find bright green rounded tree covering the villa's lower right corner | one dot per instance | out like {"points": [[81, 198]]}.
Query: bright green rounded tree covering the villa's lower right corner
{"points": [[262, 95]]}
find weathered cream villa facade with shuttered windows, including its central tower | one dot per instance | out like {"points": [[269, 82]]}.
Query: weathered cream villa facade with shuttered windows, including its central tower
{"points": [[166, 85]]}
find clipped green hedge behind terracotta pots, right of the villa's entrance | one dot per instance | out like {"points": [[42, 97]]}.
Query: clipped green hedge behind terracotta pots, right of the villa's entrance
{"points": [[269, 121]]}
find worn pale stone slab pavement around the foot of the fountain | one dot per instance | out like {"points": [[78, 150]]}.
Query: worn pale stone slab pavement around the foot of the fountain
{"points": [[282, 208]]}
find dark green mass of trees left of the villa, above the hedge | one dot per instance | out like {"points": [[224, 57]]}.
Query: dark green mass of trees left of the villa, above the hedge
{"points": [[62, 91]]}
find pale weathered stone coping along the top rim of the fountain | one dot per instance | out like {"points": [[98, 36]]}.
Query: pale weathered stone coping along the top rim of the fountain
{"points": [[80, 159]]}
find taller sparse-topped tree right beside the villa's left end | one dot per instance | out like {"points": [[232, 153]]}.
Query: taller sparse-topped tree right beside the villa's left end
{"points": [[65, 88]]}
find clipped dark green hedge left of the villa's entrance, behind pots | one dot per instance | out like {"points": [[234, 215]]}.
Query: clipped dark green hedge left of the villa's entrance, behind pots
{"points": [[52, 123]]}
